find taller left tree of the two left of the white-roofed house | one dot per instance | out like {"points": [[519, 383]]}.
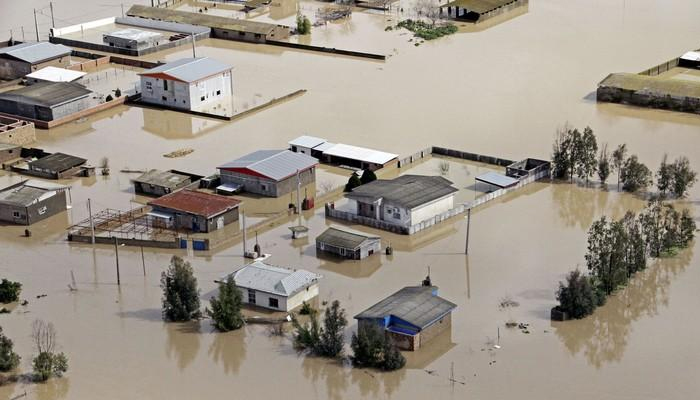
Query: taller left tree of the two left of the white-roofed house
{"points": [[180, 292]]}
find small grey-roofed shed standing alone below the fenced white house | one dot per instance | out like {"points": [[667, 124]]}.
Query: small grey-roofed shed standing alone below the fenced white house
{"points": [[348, 243]]}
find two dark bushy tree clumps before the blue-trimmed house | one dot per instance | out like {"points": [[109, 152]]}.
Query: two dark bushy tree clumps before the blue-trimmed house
{"points": [[371, 347]]}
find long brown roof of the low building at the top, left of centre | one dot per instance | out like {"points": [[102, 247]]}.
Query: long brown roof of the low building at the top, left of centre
{"points": [[211, 21]]}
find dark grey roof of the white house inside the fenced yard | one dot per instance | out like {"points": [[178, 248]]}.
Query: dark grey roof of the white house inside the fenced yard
{"points": [[408, 191]]}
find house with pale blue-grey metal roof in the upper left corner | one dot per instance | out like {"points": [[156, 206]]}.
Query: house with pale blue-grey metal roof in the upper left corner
{"points": [[22, 59]]}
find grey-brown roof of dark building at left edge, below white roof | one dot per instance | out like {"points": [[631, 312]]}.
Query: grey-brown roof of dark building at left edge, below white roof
{"points": [[47, 94]]}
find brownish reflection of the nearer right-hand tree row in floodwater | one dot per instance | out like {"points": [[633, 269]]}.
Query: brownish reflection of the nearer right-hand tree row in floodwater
{"points": [[603, 336]]}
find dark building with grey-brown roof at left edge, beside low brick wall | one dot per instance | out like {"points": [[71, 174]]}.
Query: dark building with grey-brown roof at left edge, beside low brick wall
{"points": [[46, 101]]}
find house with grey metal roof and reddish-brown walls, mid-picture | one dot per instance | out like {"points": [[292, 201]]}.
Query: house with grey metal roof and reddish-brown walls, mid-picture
{"points": [[271, 173]]}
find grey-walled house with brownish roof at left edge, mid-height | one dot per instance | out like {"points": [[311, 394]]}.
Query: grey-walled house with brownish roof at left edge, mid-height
{"points": [[31, 201]]}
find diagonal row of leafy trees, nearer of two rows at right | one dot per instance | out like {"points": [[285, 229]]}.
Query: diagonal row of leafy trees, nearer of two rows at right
{"points": [[619, 248]]}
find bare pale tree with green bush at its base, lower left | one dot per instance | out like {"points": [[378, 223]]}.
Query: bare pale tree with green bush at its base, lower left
{"points": [[47, 363]]}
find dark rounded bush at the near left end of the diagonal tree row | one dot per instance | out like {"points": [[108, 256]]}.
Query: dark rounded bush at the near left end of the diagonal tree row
{"points": [[577, 297]]}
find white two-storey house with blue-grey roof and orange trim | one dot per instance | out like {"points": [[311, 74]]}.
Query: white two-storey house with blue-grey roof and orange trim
{"points": [[193, 84]]}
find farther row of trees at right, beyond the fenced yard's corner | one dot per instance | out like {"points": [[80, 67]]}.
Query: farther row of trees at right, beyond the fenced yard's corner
{"points": [[575, 155]]}
